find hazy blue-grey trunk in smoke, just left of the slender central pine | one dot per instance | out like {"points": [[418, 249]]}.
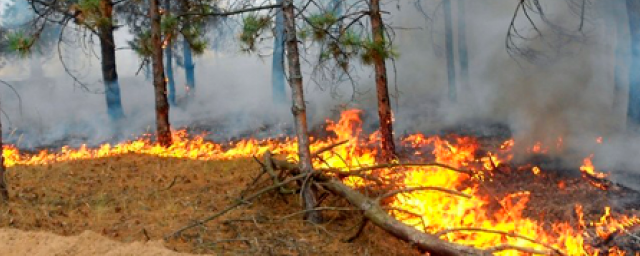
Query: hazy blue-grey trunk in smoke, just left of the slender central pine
{"points": [[277, 68]]}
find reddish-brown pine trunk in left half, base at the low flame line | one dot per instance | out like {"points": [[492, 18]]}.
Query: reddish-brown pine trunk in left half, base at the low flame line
{"points": [[159, 83]]}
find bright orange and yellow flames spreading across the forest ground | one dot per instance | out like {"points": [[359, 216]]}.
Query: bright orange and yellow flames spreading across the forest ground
{"points": [[460, 219]]}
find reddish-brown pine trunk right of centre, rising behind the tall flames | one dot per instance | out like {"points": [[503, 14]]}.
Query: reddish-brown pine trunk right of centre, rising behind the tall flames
{"points": [[382, 88]]}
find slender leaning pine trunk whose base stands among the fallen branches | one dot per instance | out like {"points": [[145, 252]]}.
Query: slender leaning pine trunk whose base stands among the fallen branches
{"points": [[299, 109]]}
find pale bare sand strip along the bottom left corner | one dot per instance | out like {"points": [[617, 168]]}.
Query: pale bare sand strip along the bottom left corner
{"points": [[17, 242]]}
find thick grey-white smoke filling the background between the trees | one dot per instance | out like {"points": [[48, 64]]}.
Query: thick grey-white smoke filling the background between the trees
{"points": [[569, 93]]}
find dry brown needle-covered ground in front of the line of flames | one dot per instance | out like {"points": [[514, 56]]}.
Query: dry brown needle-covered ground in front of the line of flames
{"points": [[138, 197]]}
